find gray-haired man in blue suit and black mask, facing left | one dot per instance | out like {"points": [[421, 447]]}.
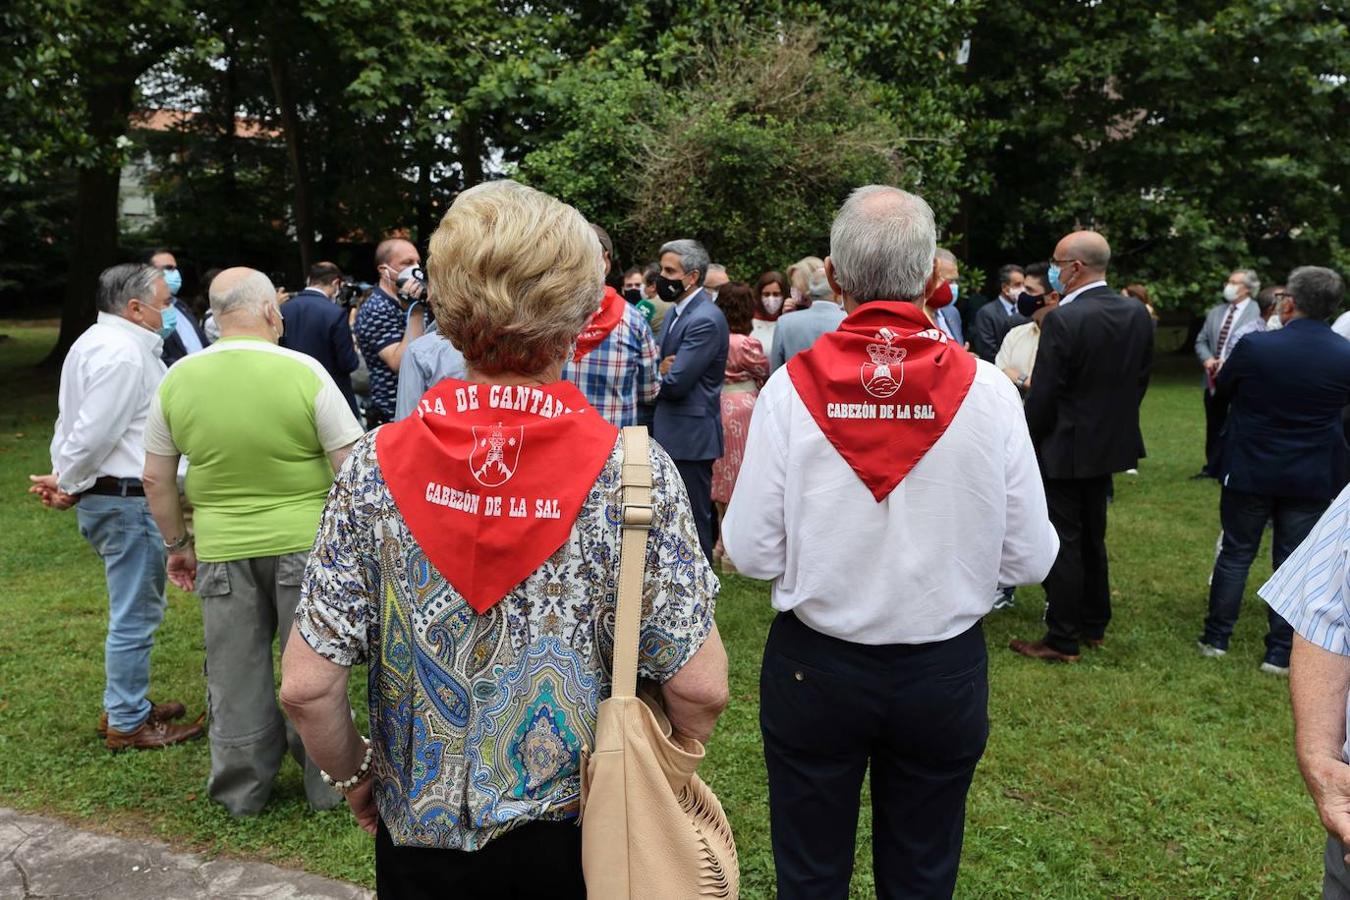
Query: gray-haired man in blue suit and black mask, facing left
{"points": [[689, 408]]}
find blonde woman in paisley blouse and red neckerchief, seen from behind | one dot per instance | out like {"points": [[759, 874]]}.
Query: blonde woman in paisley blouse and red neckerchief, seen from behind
{"points": [[469, 555]]}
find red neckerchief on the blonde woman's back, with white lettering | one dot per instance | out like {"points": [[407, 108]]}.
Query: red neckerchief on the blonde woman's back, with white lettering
{"points": [[491, 478]]}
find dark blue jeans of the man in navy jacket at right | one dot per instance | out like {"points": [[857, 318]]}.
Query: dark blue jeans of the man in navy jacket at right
{"points": [[1244, 519]]}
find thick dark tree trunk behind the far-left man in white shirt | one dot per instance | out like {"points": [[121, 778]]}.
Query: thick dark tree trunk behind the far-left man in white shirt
{"points": [[94, 246]]}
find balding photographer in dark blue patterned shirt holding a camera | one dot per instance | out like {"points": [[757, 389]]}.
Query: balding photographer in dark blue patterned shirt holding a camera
{"points": [[389, 322]]}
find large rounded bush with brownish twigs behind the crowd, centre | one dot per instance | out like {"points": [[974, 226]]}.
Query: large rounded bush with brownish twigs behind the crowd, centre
{"points": [[751, 149]]}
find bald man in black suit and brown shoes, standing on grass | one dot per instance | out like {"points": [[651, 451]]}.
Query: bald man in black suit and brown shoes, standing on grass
{"points": [[1083, 412]]}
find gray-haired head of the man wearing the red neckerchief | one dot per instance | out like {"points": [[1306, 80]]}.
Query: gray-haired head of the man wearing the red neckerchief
{"points": [[884, 244]]}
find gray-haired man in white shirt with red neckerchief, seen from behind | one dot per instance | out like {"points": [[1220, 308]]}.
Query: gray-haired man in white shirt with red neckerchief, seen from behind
{"points": [[875, 461]]}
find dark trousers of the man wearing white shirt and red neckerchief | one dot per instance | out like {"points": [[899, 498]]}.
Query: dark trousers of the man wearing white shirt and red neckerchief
{"points": [[917, 714]]}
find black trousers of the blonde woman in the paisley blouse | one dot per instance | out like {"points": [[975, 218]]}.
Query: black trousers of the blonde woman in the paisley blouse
{"points": [[537, 860]]}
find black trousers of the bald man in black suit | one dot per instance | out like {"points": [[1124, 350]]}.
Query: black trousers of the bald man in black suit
{"points": [[1078, 589]]}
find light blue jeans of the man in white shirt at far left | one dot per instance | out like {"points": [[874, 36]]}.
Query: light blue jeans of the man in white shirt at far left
{"points": [[125, 536]]}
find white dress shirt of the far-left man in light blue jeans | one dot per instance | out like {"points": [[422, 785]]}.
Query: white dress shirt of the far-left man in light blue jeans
{"points": [[107, 384]]}
